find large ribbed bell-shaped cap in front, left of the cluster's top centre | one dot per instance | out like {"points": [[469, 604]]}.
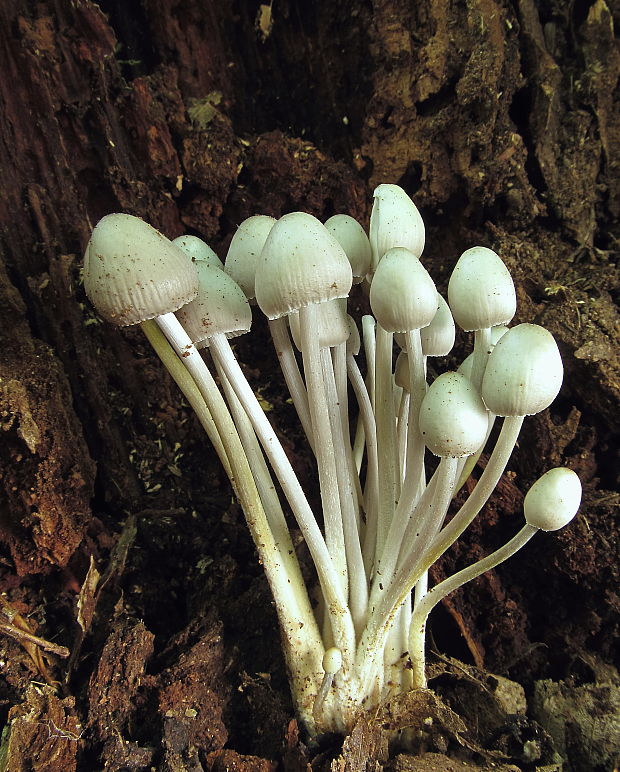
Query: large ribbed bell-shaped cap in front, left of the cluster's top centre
{"points": [[301, 264]]}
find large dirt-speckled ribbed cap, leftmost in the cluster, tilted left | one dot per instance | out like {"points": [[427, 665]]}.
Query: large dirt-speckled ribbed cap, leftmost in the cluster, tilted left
{"points": [[133, 273]]}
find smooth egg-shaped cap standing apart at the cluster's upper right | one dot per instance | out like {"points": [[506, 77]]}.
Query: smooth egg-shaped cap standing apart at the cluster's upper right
{"points": [[481, 292]]}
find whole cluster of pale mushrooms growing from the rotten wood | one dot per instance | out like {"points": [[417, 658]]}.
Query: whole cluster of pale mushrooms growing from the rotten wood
{"points": [[384, 501]]}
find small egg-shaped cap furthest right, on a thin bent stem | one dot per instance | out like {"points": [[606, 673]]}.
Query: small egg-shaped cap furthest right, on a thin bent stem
{"points": [[553, 500]]}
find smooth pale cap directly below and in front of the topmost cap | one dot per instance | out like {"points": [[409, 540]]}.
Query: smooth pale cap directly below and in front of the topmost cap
{"points": [[402, 294]]}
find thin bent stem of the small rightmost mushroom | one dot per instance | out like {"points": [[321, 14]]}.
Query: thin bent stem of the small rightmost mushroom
{"points": [[439, 591]]}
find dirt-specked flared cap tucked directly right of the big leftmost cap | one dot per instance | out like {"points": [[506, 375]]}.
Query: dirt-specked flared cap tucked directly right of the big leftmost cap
{"points": [[220, 307]]}
